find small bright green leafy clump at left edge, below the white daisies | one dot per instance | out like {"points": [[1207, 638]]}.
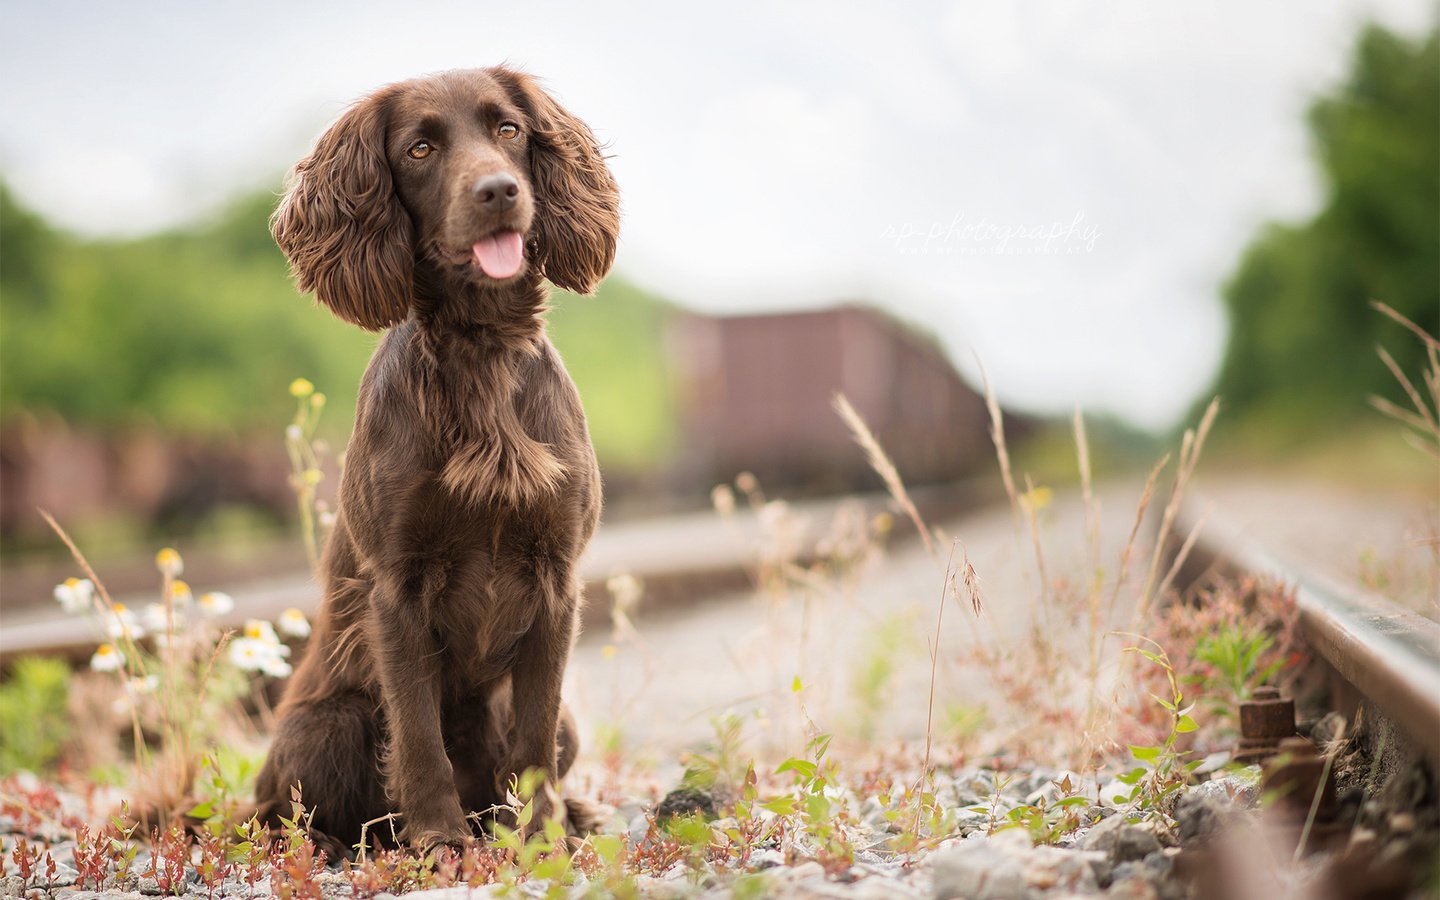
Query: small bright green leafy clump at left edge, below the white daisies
{"points": [[34, 718]]}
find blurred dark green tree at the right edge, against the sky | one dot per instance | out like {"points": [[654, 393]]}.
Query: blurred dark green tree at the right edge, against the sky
{"points": [[1302, 335]]}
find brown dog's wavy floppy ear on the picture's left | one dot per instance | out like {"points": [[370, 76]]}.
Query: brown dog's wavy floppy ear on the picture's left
{"points": [[343, 230]]}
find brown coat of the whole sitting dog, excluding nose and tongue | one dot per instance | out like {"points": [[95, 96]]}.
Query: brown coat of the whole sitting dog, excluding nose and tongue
{"points": [[470, 486]]}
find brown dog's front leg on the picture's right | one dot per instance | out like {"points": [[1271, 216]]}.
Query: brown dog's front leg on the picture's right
{"points": [[536, 680]]}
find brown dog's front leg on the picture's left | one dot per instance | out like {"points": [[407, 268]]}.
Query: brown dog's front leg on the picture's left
{"points": [[420, 778]]}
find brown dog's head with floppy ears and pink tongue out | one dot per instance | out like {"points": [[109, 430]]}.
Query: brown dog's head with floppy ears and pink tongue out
{"points": [[477, 174]]}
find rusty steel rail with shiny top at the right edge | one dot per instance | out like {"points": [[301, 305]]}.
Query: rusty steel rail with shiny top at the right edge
{"points": [[1386, 653]]}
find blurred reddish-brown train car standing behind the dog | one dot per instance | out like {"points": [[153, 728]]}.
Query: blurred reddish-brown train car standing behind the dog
{"points": [[755, 394]]}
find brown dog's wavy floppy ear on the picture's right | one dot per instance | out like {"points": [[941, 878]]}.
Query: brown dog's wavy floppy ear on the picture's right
{"points": [[578, 205]]}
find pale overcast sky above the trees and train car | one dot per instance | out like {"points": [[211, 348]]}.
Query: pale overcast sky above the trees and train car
{"points": [[1053, 188]]}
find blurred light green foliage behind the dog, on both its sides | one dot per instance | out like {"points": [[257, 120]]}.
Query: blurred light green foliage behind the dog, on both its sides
{"points": [[201, 332]]}
